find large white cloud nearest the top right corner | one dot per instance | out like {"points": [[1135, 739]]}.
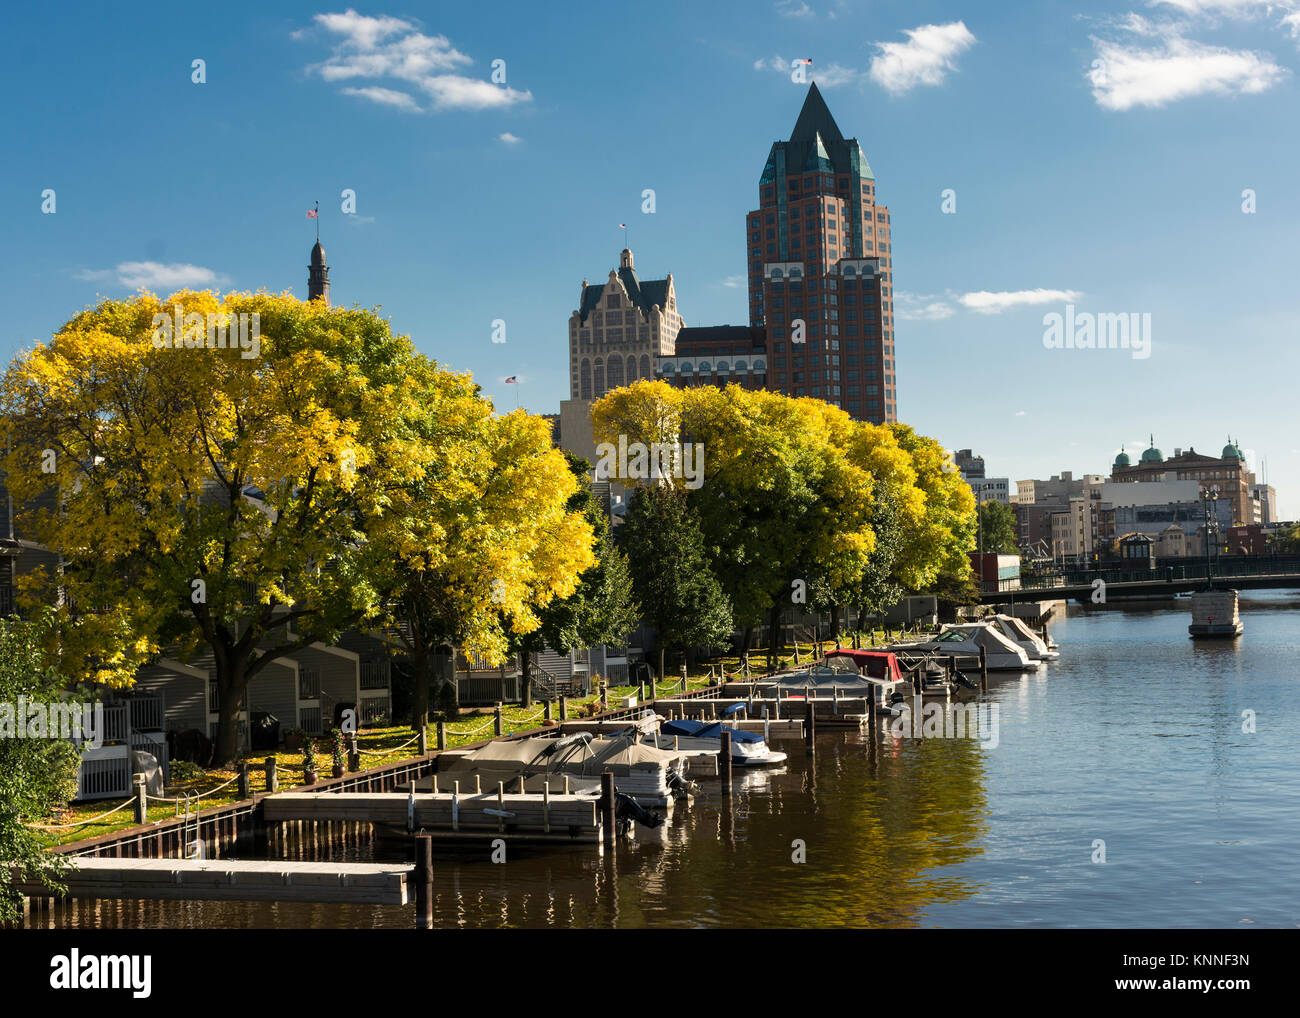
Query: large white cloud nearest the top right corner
{"points": [[1125, 77]]}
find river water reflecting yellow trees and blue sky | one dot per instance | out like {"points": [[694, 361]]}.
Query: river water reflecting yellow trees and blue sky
{"points": [[1124, 790]]}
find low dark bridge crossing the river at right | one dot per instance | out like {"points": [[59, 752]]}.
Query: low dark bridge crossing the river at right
{"points": [[1229, 571]]}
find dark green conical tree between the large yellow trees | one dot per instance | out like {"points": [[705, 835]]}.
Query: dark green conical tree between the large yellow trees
{"points": [[670, 571]]}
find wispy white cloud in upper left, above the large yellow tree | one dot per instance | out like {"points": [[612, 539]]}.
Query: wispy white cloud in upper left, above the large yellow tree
{"points": [[374, 49]]}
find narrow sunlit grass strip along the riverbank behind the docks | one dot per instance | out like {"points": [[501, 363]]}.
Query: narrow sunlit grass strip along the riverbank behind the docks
{"points": [[380, 747]]}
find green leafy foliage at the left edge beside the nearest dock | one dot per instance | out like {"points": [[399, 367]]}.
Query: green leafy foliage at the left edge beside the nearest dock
{"points": [[37, 776]]}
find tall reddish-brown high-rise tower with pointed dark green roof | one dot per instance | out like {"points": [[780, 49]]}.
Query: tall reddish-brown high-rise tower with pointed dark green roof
{"points": [[820, 270]]}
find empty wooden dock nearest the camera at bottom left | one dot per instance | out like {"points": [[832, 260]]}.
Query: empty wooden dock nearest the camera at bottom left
{"points": [[358, 883]]}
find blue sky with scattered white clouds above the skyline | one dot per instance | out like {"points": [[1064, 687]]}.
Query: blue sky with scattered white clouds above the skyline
{"points": [[1099, 155]]}
